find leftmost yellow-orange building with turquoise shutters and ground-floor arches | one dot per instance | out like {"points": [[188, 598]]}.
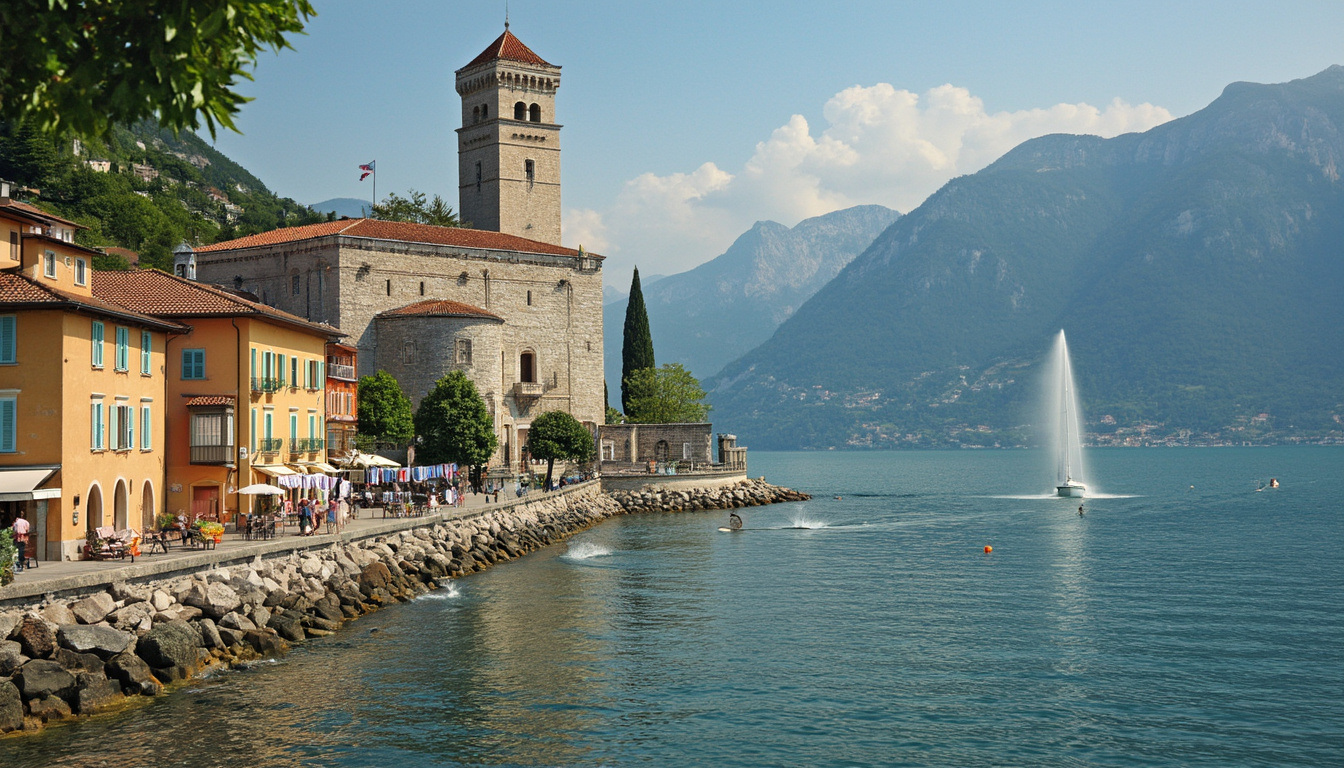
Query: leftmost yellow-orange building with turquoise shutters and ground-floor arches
{"points": [[81, 392]]}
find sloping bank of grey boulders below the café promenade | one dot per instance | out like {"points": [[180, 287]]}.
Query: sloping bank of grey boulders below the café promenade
{"points": [[69, 658]]}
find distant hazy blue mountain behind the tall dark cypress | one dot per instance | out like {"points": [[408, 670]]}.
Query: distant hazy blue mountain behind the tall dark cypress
{"points": [[716, 313]]}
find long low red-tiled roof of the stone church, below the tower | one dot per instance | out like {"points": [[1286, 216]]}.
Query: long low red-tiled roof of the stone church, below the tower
{"points": [[404, 232]]}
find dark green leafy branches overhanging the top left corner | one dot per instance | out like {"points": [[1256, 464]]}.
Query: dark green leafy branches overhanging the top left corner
{"points": [[83, 67]]}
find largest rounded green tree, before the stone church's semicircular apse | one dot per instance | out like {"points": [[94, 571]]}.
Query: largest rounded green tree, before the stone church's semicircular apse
{"points": [[455, 427]]}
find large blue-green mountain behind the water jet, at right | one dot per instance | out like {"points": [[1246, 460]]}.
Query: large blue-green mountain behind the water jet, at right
{"points": [[1198, 270]]}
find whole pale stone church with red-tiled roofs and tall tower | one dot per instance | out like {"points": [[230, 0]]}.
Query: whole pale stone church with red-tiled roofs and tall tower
{"points": [[505, 303]]}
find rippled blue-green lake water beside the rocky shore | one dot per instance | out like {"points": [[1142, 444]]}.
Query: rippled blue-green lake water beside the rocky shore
{"points": [[1185, 621]]}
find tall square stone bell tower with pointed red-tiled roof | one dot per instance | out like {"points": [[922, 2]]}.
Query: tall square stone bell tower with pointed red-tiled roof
{"points": [[509, 149]]}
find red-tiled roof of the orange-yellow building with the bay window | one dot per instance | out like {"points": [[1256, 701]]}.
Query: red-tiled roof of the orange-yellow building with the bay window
{"points": [[166, 295]]}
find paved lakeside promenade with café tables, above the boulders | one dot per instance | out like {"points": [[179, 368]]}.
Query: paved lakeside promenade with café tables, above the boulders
{"points": [[76, 578]]}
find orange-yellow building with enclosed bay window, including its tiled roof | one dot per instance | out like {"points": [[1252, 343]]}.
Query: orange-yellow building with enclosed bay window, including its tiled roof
{"points": [[245, 391]]}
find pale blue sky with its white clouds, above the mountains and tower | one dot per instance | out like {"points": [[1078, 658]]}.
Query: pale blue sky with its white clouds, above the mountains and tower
{"points": [[686, 123]]}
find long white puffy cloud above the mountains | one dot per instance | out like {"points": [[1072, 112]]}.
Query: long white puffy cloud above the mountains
{"points": [[880, 146]]}
